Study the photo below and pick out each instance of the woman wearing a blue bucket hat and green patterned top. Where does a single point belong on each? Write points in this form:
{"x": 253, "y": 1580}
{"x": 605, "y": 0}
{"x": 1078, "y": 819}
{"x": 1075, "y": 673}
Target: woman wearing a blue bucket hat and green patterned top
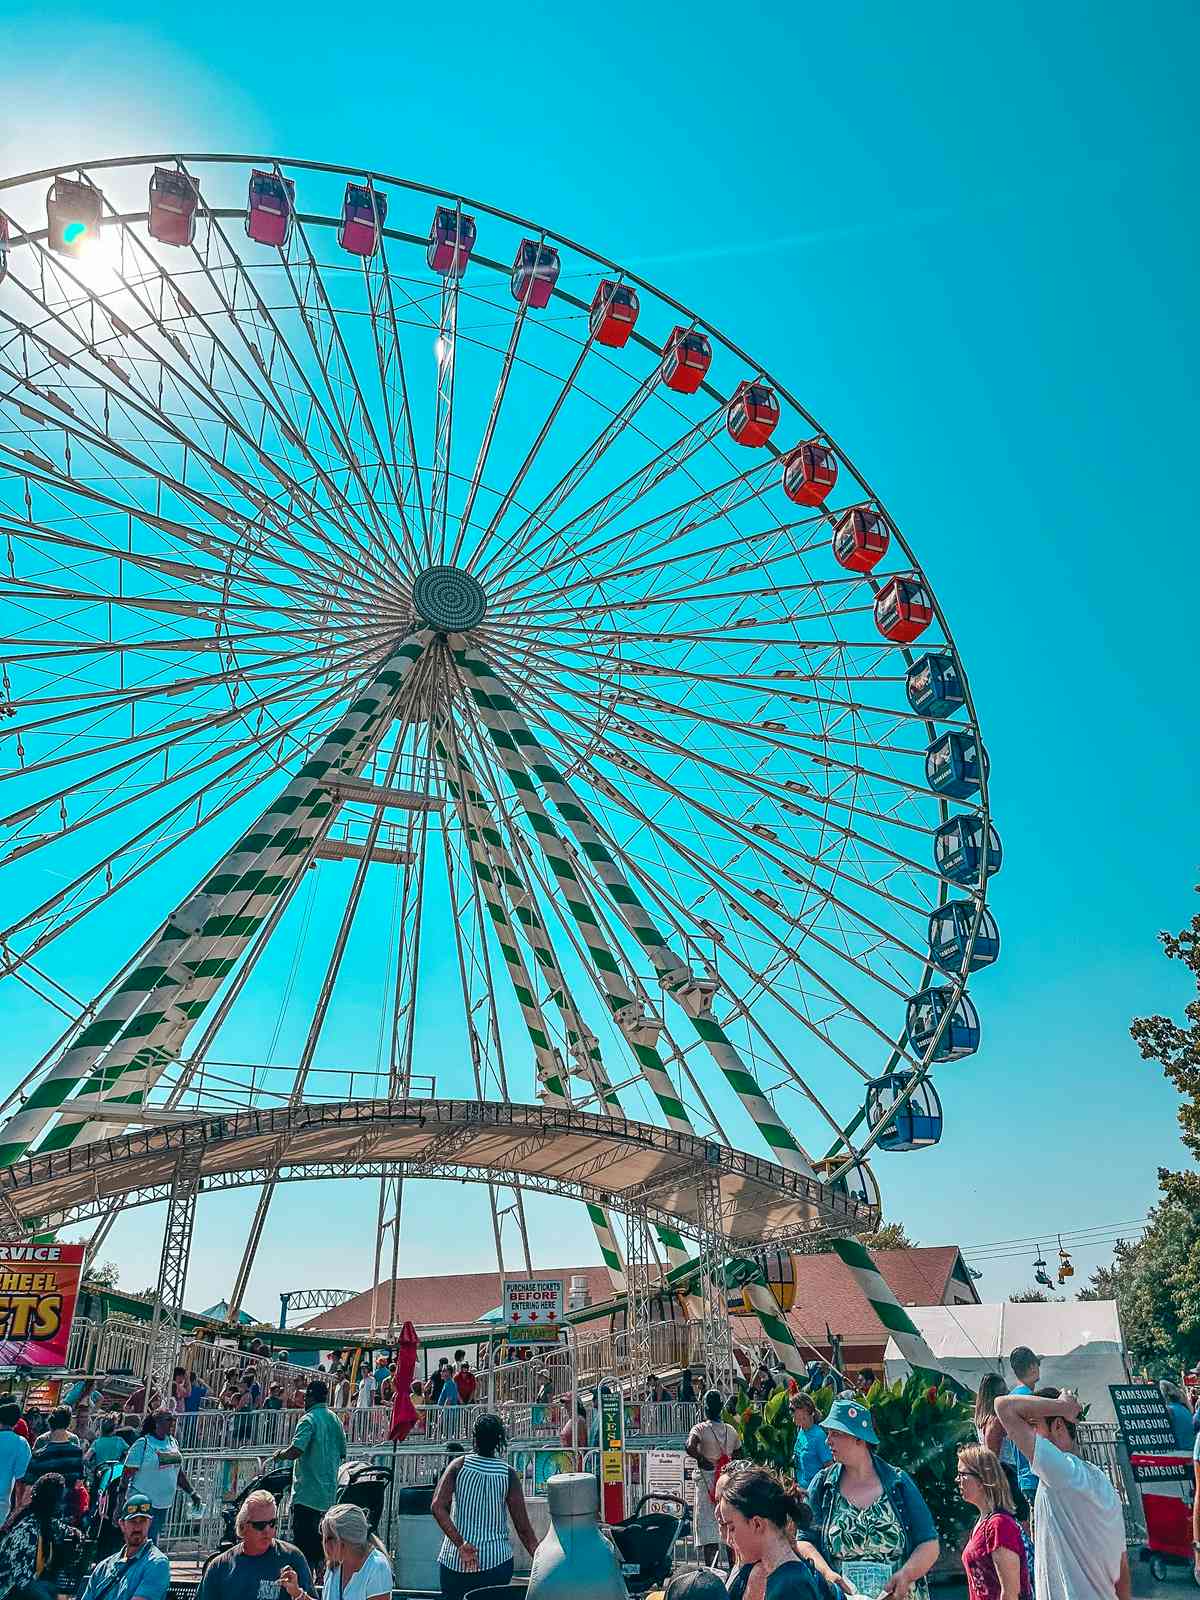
{"x": 870, "y": 1519}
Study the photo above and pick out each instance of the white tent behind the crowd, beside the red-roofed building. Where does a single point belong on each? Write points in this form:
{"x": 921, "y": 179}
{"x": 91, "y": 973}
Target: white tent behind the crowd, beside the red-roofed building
{"x": 1079, "y": 1343}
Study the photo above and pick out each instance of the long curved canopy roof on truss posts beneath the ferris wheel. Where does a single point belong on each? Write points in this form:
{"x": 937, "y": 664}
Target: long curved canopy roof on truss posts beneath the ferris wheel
{"x": 622, "y": 1164}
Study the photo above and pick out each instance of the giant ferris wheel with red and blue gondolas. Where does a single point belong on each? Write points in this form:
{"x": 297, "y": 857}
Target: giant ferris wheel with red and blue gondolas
{"x": 366, "y": 546}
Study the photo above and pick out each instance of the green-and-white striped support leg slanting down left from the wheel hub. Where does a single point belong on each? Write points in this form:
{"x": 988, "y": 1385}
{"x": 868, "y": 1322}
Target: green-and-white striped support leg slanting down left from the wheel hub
{"x": 204, "y": 938}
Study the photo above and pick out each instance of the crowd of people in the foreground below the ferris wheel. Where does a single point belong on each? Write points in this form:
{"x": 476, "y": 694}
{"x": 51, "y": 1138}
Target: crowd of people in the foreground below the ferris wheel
{"x": 1049, "y": 1524}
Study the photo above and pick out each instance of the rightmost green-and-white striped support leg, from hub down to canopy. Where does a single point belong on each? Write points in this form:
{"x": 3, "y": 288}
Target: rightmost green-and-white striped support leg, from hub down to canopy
{"x": 526, "y": 759}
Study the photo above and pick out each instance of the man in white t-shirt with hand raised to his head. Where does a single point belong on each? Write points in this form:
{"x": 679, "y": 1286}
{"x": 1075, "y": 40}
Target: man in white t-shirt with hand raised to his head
{"x": 1079, "y": 1529}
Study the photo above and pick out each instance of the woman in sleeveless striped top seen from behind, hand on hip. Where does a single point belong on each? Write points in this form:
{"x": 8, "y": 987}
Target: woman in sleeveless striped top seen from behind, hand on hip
{"x": 473, "y": 1506}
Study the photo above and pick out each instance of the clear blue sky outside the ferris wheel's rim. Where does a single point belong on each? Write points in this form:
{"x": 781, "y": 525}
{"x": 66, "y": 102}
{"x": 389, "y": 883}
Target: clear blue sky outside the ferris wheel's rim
{"x": 969, "y": 242}
